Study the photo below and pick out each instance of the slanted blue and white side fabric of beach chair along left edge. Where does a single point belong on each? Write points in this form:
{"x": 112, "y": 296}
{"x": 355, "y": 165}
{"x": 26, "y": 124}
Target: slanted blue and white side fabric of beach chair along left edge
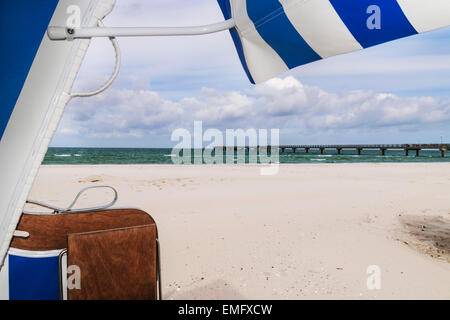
{"x": 36, "y": 79}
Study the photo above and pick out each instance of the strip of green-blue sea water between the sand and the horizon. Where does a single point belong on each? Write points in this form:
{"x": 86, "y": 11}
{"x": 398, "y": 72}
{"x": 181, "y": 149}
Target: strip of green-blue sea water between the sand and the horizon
{"x": 163, "y": 156}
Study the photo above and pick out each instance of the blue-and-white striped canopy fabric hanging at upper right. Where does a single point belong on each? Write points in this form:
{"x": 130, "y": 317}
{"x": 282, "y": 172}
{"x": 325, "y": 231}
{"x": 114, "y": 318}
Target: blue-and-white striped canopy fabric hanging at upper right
{"x": 273, "y": 36}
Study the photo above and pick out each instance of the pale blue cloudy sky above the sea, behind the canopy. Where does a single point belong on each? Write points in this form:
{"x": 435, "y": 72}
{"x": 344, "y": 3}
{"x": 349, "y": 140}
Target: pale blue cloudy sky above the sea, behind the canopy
{"x": 393, "y": 93}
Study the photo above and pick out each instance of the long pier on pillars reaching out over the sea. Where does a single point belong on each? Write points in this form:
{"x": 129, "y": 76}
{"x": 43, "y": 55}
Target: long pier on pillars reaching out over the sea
{"x": 357, "y": 147}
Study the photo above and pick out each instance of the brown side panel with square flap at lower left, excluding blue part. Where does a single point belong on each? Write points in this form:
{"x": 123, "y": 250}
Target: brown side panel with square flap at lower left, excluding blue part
{"x": 116, "y": 250}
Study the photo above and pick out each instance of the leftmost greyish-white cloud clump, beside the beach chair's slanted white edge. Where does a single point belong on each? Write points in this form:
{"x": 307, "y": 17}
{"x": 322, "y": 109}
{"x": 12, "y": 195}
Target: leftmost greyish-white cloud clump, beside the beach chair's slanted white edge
{"x": 120, "y": 112}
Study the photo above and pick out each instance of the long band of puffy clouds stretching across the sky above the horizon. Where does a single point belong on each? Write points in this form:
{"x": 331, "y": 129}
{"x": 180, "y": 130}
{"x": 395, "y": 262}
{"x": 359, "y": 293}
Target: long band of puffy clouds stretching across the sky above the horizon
{"x": 279, "y": 103}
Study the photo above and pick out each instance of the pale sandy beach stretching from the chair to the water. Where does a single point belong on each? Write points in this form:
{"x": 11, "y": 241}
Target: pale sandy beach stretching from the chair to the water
{"x": 309, "y": 232}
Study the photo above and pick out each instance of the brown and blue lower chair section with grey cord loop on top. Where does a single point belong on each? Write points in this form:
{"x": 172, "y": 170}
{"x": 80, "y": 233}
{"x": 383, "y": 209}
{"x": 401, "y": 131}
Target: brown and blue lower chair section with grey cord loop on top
{"x": 95, "y": 253}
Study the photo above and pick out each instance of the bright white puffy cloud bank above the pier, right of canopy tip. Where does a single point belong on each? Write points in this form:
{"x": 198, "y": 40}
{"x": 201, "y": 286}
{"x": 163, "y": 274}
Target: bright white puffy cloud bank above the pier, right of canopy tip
{"x": 317, "y": 109}
